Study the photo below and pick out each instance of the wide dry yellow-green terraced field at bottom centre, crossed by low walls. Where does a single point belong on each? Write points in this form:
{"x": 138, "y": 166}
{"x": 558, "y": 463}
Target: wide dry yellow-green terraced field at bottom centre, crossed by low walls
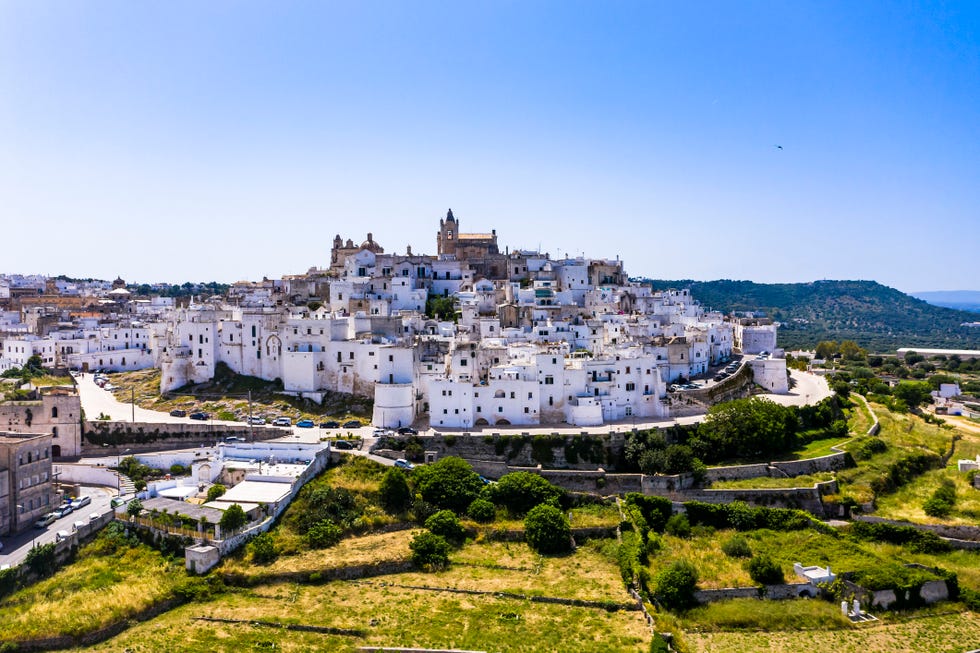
{"x": 395, "y": 616}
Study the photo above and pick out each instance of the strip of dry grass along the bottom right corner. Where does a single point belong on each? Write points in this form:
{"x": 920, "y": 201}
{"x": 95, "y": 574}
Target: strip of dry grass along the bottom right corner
{"x": 942, "y": 633}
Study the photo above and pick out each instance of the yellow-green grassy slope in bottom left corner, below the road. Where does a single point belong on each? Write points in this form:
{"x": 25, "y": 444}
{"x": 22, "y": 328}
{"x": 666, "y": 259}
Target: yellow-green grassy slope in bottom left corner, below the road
{"x": 97, "y": 589}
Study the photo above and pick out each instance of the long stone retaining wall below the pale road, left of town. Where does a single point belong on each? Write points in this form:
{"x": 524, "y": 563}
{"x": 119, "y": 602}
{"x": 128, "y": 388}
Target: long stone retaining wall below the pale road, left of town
{"x": 149, "y": 436}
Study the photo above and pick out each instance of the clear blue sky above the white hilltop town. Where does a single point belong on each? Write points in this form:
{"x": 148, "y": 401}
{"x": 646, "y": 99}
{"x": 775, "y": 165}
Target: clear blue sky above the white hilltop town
{"x": 177, "y": 141}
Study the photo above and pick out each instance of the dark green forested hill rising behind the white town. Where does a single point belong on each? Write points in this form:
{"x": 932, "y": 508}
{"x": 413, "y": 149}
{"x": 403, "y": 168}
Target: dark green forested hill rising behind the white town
{"x": 875, "y": 316}
